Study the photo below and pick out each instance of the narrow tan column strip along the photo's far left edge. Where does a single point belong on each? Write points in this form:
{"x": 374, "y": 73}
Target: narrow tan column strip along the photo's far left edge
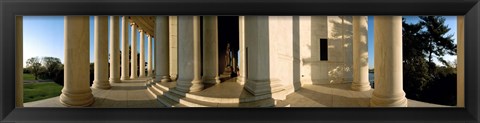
{"x": 19, "y": 63}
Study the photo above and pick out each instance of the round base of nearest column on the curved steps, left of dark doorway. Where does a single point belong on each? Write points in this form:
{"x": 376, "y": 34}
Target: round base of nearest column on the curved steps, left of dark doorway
{"x": 189, "y": 86}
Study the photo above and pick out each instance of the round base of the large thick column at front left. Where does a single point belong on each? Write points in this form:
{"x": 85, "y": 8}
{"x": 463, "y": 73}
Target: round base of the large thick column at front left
{"x": 77, "y": 99}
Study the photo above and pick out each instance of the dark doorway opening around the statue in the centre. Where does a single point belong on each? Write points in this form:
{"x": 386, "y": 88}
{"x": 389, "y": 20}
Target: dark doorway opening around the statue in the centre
{"x": 227, "y": 34}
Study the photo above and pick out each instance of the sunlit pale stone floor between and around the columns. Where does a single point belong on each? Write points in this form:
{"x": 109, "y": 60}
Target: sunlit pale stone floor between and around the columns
{"x": 133, "y": 94}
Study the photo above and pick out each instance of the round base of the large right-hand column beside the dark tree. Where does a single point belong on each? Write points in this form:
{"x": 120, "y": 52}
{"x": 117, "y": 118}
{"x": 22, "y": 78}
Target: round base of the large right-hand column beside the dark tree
{"x": 395, "y": 101}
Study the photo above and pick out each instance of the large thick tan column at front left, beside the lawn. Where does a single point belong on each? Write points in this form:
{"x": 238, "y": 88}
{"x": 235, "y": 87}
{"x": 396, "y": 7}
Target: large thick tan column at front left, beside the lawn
{"x": 76, "y": 89}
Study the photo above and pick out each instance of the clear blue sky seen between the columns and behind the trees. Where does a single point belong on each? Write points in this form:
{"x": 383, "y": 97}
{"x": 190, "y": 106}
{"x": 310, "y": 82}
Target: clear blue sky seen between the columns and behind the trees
{"x": 43, "y": 36}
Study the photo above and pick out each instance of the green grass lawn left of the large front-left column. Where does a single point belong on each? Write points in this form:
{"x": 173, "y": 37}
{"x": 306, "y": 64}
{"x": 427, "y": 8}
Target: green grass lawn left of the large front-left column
{"x": 41, "y": 90}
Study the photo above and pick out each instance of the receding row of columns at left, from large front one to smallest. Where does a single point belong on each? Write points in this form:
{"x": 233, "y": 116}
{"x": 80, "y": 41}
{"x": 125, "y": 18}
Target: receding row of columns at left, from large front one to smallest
{"x": 76, "y": 91}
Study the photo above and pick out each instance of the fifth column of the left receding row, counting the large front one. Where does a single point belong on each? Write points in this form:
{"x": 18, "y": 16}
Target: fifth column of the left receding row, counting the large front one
{"x": 133, "y": 53}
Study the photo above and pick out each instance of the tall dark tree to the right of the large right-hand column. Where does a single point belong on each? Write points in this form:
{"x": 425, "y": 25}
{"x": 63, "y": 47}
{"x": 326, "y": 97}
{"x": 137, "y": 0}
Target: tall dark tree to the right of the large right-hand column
{"x": 423, "y": 79}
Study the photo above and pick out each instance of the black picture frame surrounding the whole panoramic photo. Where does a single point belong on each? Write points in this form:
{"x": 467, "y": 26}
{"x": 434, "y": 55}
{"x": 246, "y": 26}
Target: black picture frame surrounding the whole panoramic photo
{"x": 10, "y": 8}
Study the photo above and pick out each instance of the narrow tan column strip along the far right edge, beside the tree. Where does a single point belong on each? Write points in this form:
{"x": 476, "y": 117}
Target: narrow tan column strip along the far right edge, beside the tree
{"x": 460, "y": 62}
